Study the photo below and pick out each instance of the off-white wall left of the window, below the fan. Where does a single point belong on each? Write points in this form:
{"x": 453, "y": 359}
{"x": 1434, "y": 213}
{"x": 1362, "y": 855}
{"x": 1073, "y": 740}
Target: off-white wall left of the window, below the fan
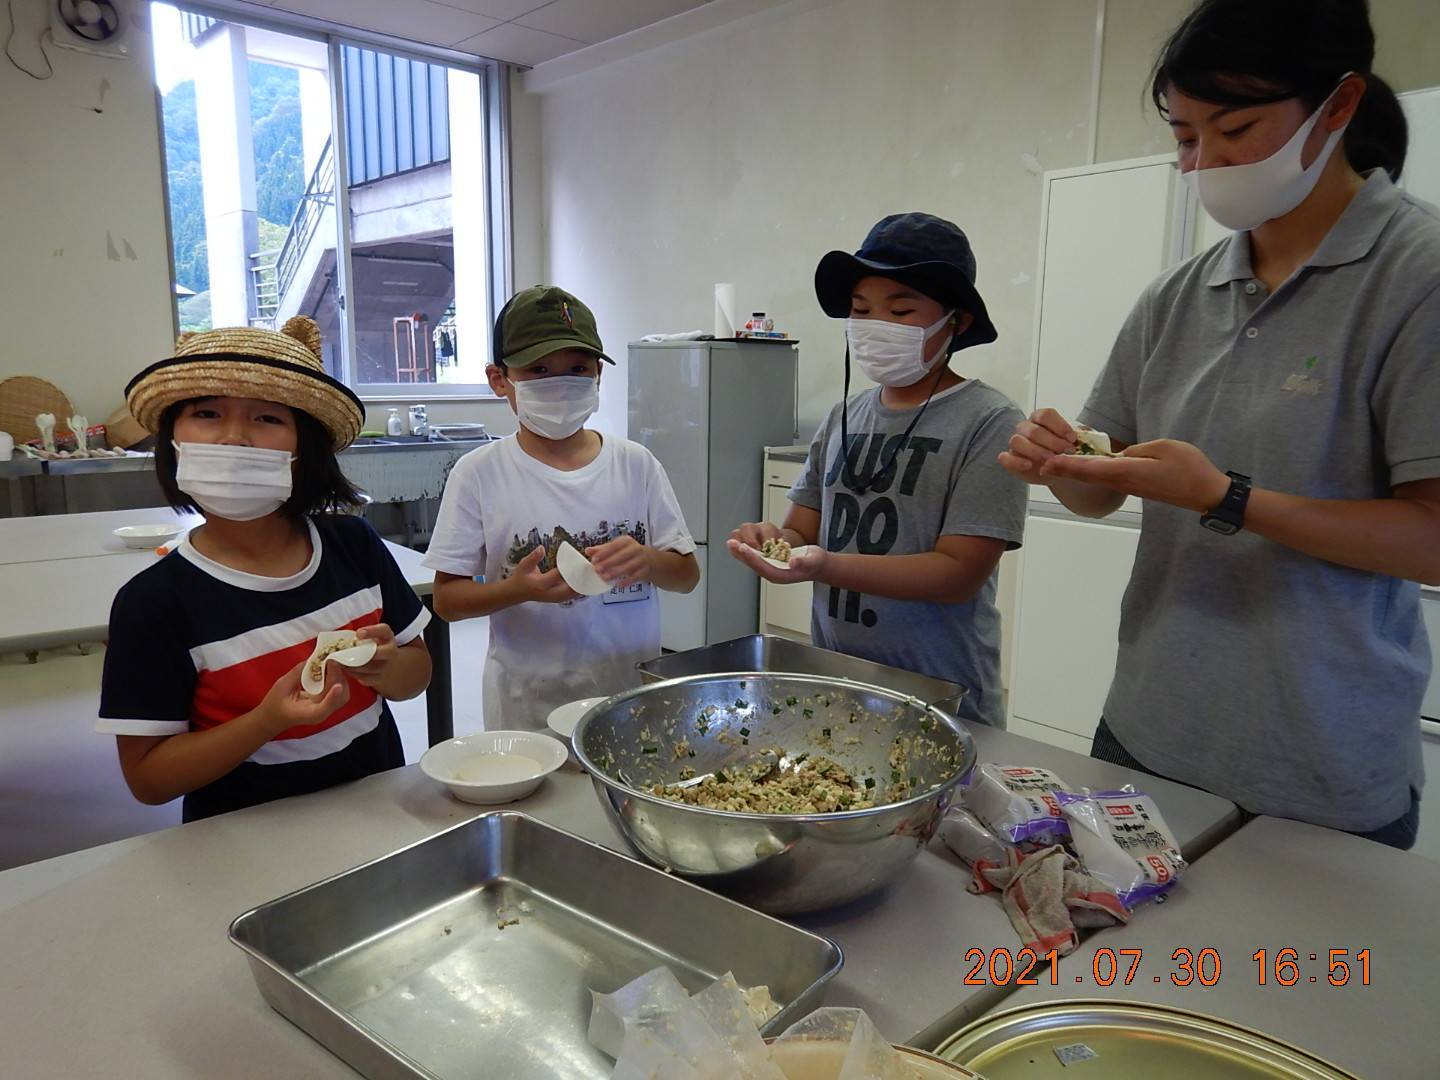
{"x": 86, "y": 277}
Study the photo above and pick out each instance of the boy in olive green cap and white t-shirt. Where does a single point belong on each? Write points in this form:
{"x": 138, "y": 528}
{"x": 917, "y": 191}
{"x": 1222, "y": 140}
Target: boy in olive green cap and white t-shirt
{"x": 512, "y": 505}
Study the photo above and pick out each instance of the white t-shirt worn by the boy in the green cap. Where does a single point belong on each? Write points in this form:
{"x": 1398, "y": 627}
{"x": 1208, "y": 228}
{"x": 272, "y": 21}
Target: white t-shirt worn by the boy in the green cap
{"x": 499, "y": 506}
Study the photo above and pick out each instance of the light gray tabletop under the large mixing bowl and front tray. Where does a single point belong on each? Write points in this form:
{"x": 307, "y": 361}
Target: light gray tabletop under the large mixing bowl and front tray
{"x": 120, "y": 954}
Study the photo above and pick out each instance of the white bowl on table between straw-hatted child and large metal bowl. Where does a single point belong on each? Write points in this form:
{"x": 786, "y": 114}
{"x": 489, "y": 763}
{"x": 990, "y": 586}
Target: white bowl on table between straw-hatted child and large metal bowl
{"x": 493, "y": 767}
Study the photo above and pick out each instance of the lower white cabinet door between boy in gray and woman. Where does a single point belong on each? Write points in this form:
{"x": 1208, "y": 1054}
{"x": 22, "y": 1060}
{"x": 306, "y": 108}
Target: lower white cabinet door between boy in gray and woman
{"x": 1069, "y": 616}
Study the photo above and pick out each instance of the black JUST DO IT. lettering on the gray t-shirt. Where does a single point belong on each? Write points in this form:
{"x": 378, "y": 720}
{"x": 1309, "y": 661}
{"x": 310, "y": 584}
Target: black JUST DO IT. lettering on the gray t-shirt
{"x": 876, "y": 463}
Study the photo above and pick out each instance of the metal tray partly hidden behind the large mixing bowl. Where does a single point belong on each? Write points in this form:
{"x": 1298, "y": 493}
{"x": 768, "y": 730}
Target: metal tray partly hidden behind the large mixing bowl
{"x": 774, "y": 653}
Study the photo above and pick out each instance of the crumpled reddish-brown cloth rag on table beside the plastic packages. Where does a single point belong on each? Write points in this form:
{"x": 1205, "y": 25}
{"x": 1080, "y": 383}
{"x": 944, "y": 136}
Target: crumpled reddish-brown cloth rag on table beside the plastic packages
{"x": 1049, "y": 898}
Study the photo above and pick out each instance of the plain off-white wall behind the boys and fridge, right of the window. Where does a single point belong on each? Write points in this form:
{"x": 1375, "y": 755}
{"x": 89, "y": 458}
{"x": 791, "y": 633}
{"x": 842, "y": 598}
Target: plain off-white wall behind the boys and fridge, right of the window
{"x": 747, "y": 153}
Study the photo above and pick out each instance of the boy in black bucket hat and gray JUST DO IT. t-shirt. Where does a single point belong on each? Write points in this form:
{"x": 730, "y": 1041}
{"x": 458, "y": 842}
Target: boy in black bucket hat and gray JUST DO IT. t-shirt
{"x": 904, "y": 531}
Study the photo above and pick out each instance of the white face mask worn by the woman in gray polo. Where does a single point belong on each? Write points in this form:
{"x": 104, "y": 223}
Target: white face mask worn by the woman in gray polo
{"x": 1245, "y": 198}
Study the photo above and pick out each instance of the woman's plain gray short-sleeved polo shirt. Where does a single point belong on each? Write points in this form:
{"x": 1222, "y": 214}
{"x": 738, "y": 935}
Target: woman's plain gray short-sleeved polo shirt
{"x": 1285, "y": 683}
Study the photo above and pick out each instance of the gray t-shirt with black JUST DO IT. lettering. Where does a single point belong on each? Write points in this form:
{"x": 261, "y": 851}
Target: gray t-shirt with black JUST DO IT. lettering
{"x": 945, "y": 482}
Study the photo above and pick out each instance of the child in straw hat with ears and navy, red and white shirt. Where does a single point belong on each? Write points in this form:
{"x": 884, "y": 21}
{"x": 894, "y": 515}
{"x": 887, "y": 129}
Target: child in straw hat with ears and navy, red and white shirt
{"x": 202, "y": 683}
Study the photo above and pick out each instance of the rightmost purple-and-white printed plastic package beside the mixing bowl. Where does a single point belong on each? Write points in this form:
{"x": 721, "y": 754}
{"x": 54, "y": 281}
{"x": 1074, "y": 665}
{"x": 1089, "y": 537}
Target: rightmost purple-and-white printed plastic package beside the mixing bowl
{"x": 1124, "y": 843}
